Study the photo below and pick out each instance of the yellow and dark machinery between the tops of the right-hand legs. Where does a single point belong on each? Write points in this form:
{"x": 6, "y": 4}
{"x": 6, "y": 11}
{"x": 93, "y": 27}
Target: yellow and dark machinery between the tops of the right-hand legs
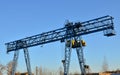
{"x": 75, "y": 43}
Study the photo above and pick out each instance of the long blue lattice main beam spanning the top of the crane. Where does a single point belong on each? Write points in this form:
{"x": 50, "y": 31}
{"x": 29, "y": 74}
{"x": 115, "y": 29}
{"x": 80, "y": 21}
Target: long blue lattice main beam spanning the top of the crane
{"x": 104, "y": 23}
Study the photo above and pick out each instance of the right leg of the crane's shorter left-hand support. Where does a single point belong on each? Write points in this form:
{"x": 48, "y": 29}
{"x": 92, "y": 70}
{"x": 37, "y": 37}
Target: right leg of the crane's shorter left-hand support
{"x": 27, "y": 60}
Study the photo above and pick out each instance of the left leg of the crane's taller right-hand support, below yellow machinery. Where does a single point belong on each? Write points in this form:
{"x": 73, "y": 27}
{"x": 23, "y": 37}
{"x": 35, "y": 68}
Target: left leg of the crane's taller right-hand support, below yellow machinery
{"x": 67, "y": 58}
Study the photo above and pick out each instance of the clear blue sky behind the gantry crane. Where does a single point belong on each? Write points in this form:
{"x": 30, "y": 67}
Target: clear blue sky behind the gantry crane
{"x": 23, "y": 18}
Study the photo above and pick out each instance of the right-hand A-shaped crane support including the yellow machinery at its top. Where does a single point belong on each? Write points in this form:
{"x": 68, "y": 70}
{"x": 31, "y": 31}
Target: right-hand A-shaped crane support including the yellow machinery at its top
{"x": 78, "y": 44}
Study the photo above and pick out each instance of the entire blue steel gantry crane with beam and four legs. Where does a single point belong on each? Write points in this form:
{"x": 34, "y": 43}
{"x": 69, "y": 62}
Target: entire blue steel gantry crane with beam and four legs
{"x": 70, "y": 34}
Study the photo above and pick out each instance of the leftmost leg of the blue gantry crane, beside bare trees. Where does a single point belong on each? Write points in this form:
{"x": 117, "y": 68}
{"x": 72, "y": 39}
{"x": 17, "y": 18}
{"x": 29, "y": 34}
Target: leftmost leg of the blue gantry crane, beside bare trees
{"x": 14, "y": 64}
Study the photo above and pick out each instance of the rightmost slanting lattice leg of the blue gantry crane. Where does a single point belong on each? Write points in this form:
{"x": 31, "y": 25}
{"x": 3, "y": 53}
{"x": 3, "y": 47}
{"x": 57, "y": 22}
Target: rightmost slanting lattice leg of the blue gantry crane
{"x": 80, "y": 55}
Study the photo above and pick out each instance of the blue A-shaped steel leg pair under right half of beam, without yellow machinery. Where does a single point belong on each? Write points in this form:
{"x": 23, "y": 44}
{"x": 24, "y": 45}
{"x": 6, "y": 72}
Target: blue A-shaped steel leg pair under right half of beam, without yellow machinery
{"x": 79, "y": 51}
